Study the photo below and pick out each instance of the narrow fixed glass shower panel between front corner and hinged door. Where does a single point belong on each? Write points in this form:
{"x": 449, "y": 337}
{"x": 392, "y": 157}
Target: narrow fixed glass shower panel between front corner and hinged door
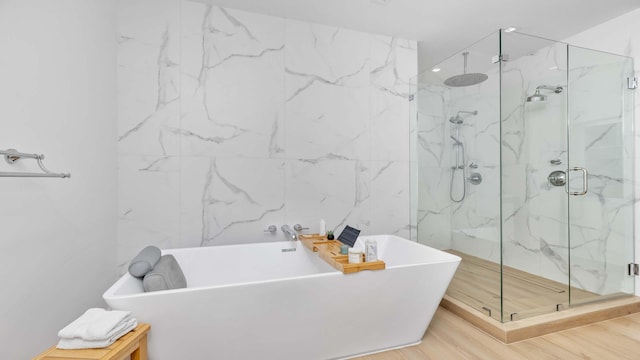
{"x": 535, "y": 253}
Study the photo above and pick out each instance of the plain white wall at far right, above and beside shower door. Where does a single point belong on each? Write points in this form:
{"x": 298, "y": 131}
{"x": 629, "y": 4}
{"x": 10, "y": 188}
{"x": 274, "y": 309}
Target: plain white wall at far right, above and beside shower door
{"x": 620, "y": 36}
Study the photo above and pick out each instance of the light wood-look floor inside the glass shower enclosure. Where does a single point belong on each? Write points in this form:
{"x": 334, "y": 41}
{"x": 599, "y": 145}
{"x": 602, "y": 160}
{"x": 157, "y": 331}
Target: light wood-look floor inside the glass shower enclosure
{"x": 477, "y": 284}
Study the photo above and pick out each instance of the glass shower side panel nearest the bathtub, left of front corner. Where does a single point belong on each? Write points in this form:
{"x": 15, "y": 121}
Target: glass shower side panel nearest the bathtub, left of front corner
{"x": 457, "y": 146}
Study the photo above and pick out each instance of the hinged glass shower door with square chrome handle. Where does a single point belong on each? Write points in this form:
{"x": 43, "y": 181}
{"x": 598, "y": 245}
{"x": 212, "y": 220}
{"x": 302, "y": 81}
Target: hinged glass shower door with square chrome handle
{"x": 600, "y": 173}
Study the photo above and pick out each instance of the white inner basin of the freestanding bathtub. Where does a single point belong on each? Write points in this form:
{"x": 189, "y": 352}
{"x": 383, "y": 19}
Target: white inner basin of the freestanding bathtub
{"x": 232, "y": 265}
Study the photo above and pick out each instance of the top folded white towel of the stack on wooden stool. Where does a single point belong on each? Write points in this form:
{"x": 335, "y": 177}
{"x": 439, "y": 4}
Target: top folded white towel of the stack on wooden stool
{"x": 97, "y": 324}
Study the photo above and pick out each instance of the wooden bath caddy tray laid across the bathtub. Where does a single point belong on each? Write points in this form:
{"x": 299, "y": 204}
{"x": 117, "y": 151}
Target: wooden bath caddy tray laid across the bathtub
{"x": 329, "y": 251}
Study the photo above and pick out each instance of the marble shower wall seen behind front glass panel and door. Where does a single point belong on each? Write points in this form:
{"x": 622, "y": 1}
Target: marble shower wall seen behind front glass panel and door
{"x": 579, "y": 240}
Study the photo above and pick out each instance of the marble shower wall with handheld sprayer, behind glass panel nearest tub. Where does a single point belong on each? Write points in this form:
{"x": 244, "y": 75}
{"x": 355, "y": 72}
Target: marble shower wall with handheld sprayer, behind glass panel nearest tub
{"x": 473, "y": 224}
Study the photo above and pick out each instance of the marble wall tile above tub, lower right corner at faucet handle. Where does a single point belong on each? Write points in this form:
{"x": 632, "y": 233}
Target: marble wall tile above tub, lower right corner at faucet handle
{"x": 230, "y": 200}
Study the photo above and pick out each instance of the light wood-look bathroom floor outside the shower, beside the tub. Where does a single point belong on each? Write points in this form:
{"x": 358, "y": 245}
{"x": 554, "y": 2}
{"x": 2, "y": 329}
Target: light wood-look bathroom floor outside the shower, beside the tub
{"x": 451, "y": 338}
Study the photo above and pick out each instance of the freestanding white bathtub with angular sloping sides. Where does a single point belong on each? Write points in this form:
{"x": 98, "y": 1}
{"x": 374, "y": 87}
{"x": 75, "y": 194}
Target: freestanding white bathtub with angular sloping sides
{"x": 254, "y": 301}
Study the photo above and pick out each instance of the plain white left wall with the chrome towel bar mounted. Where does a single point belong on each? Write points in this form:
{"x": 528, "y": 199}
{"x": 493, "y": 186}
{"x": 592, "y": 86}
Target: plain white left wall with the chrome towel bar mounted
{"x": 57, "y": 242}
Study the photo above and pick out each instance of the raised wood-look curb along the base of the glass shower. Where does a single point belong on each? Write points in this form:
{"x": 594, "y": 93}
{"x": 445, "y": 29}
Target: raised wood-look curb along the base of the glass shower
{"x": 572, "y": 317}
